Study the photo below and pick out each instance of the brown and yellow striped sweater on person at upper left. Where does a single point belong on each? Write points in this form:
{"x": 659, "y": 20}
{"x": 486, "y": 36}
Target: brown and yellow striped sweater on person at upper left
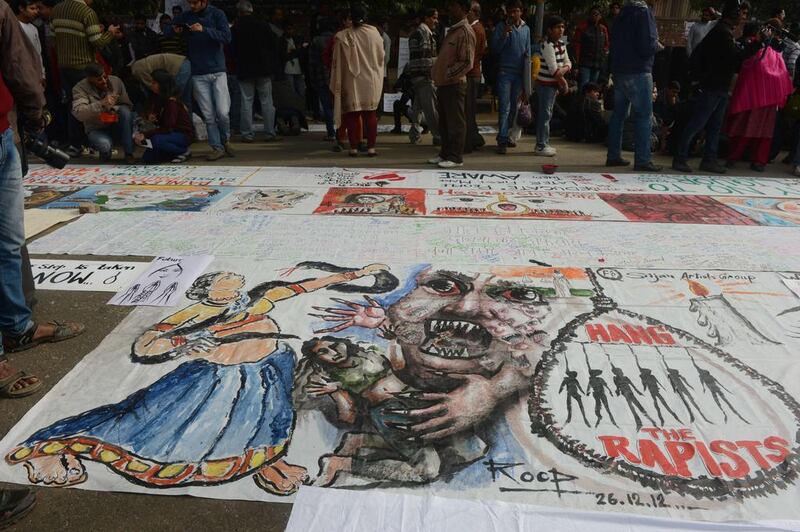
{"x": 78, "y": 34}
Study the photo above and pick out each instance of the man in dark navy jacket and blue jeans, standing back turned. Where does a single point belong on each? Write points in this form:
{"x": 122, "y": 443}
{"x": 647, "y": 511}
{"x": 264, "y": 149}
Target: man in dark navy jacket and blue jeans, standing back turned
{"x": 634, "y": 44}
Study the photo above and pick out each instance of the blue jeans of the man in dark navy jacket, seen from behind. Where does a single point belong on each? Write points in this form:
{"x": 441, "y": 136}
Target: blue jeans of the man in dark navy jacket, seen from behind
{"x": 633, "y": 93}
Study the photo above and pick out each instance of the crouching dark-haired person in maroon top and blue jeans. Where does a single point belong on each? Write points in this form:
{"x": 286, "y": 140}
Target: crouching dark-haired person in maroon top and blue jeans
{"x": 173, "y": 133}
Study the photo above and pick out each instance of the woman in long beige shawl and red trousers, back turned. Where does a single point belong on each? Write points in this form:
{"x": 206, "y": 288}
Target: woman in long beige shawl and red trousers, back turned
{"x": 357, "y": 79}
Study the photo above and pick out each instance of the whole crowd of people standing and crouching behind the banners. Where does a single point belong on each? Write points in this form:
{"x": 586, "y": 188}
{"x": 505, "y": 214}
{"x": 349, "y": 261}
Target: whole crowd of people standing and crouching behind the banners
{"x": 202, "y": 73}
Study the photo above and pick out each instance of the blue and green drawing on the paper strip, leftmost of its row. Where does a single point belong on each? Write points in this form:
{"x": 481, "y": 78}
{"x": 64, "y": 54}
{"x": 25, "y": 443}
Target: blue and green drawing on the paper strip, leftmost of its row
{"x": 143, "y": 198}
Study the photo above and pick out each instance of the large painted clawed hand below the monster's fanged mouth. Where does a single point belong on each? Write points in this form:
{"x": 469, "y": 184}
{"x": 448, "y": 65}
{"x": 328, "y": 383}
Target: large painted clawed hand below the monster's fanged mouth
{"x": 451, "y": 413}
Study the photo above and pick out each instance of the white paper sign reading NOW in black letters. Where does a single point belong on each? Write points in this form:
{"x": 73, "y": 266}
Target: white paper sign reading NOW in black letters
{"x": 86, "y": 276}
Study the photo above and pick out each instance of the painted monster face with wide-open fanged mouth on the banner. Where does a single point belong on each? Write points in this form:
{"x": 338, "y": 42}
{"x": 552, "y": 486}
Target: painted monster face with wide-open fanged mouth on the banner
{"x": 454, "y": 322}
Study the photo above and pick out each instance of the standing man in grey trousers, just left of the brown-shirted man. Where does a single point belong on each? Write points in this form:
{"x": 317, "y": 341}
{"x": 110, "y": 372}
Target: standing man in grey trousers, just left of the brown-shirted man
{"x": 422, "y": 54}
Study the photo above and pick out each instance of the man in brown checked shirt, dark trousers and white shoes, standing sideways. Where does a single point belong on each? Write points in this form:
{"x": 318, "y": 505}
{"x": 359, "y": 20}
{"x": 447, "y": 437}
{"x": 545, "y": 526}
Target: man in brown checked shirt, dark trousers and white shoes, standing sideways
{"x": 449, "y": 74}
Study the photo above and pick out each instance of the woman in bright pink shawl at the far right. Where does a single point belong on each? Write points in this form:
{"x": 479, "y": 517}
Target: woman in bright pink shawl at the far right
{"x": 763, "y": 86}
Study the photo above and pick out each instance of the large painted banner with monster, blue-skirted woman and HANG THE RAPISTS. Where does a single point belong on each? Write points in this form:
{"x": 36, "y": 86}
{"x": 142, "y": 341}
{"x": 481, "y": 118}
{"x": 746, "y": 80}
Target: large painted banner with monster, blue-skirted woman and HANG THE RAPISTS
{"x": 664, "y": 392}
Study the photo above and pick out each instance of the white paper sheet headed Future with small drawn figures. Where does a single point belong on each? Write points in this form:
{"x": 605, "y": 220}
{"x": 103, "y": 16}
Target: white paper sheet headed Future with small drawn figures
{"x": 164, "y": 282}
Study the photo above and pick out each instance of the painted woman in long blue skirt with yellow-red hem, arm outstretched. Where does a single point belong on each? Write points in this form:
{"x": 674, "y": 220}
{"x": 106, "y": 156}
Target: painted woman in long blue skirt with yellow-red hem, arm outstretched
{"x": 223, "y": 414}
